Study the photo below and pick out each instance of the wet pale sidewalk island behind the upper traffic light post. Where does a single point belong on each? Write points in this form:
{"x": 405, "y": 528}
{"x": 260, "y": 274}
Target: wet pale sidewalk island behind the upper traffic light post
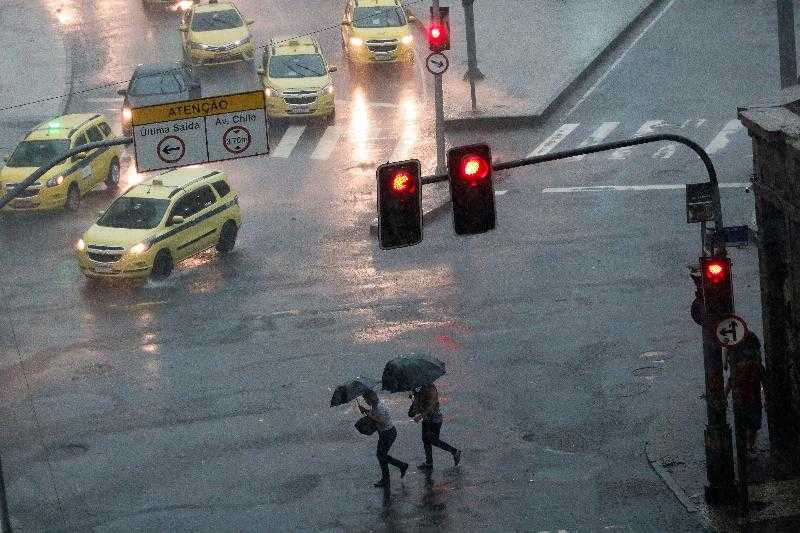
{"x": 530, "y": 52}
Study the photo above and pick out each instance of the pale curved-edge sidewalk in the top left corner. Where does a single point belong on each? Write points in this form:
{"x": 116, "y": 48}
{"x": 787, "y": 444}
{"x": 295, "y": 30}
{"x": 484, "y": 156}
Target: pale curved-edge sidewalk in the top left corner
{"x": 35, "y": 67}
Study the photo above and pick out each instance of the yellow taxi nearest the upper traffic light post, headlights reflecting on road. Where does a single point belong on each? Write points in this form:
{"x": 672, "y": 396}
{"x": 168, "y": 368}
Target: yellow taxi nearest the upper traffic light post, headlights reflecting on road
{"x": 377, "y": 31}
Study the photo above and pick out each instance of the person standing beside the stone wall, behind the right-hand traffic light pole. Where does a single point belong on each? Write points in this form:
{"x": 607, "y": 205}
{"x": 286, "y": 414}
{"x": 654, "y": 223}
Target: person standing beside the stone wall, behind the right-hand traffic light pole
{"x": 745, "y": 382}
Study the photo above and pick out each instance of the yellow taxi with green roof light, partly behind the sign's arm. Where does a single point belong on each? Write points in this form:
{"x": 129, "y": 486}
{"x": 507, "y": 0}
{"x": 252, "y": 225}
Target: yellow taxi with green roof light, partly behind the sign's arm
{"x": 66, "y": 183}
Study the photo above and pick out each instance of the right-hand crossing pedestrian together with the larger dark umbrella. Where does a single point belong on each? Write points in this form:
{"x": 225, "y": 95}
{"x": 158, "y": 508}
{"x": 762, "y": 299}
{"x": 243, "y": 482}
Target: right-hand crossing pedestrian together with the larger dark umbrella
{"x": 417, "y": 374}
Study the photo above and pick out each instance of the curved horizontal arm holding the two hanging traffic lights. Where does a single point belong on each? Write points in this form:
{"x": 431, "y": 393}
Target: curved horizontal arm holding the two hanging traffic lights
{"x": 645, "y": 139}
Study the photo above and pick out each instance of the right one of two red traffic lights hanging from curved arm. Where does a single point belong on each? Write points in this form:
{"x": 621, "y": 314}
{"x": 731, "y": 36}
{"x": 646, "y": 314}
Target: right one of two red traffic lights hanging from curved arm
{"x": 470, "y": 171}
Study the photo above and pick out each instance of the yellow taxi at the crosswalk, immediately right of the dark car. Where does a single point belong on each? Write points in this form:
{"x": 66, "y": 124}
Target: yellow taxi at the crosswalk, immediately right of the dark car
{"x": 297, "y": 79}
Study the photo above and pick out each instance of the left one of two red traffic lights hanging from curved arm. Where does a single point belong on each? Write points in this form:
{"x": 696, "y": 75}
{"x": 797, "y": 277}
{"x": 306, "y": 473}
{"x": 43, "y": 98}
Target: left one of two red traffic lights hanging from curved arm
{"x": 399, "y": 204}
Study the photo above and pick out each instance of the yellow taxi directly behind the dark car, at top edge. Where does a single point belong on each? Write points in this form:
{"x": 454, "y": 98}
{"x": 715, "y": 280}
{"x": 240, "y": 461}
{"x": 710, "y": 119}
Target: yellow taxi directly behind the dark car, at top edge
{"x": 216, "y": 33}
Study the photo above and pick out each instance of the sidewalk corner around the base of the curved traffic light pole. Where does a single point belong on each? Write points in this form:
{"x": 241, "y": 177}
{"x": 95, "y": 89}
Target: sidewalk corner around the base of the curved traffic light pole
{"x": 675, "y": 450}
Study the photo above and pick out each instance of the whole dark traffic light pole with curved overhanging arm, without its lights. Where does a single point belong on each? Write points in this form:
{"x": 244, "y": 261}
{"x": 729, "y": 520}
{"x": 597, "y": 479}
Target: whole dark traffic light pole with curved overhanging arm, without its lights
{"x": 721, "y": 487}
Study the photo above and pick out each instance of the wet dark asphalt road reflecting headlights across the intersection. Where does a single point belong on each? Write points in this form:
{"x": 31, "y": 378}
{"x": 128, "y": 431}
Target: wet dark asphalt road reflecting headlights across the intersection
{"x": 201, "y": 403}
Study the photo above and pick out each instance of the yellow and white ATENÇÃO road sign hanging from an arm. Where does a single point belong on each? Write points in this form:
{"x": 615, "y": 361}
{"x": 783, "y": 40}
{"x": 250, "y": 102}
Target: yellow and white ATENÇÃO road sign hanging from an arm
{"x": 199, "y": 131}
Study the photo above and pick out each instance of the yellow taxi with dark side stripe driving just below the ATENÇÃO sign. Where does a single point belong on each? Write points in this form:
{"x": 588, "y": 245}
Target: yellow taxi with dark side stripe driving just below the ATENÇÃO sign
{"x": 159, "y": 222}
